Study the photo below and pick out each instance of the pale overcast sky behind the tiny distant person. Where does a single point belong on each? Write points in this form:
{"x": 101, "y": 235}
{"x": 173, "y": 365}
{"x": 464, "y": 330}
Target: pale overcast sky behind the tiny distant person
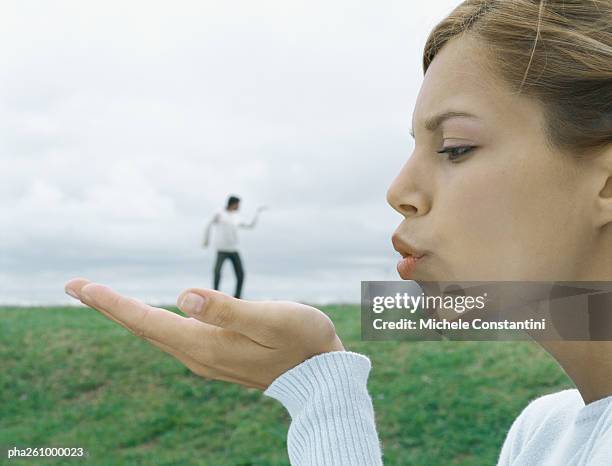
{"x": 125, "y": 124}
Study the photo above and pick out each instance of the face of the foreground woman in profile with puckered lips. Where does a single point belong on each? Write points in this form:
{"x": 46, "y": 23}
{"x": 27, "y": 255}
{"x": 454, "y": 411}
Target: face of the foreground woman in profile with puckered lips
{"x": 511, "y": 208}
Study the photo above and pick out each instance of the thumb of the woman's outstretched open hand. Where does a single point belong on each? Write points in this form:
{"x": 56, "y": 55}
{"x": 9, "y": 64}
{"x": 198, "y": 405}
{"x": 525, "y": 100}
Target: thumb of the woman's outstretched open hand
{"x": 255, "y": 319}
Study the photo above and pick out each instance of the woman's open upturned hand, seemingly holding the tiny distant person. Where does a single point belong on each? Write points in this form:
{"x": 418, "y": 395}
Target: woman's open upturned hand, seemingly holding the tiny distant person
{"x": 246, "y": 342}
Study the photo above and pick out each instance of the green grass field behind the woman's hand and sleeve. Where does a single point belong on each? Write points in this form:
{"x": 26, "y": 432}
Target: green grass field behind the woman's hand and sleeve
{"x": 69, "y": 377}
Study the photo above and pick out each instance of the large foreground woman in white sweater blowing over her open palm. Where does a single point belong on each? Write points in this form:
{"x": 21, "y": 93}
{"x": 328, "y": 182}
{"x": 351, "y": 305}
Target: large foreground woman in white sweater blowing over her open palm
{"x": 510, "y": 179}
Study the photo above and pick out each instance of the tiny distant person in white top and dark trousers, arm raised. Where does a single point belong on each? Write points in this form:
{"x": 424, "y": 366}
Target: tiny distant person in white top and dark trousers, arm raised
{"x": 226, "y": 224}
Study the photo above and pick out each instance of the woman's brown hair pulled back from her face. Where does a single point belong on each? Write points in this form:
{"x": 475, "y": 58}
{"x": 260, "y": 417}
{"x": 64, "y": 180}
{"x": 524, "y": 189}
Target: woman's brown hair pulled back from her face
{"x": 558, "y": 52}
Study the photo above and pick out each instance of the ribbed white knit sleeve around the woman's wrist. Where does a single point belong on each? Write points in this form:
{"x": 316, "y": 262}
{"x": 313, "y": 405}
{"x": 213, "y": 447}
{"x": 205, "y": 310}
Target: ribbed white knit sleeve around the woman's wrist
{"x": 332, "y": 417}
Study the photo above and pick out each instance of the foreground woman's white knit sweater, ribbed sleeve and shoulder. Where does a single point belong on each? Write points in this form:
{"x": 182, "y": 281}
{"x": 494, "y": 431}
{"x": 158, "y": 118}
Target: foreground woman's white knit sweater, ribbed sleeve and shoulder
{"x": 332, "y": 420}
